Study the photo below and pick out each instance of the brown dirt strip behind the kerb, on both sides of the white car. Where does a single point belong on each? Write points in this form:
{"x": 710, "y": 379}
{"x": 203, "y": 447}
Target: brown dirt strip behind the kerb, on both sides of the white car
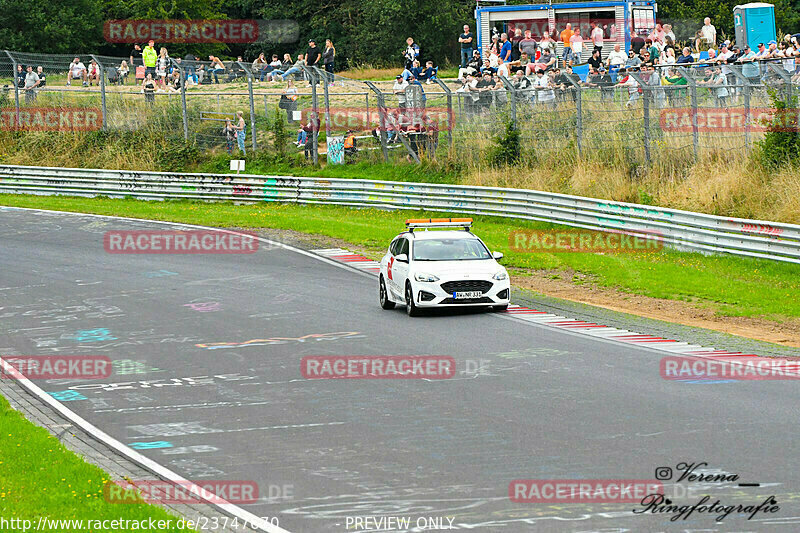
{"x": 556, "y": 284}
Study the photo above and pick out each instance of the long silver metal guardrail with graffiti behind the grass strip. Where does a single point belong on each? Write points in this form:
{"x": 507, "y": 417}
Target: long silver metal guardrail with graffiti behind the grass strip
{"x": 681, "y": 229}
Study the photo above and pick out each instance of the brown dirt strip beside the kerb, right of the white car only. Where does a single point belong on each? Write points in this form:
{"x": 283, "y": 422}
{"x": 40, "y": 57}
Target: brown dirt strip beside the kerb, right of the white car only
{"x": 784, "y": 333}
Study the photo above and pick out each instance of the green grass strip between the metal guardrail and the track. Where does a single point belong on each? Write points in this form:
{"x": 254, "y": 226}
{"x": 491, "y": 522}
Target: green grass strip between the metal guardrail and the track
{"x": 728, "y": 285}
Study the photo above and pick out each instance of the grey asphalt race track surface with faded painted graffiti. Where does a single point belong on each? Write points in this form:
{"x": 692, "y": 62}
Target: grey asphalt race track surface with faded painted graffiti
{"x": 192, "y": 393}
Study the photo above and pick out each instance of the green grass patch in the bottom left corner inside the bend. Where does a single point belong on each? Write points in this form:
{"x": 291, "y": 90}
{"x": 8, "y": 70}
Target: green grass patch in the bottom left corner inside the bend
{"x": 39, "y": 477}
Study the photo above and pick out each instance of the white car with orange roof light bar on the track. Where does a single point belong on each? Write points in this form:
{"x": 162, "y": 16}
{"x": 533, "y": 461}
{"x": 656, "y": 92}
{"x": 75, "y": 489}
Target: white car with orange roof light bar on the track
{"x": 447, "y": 267}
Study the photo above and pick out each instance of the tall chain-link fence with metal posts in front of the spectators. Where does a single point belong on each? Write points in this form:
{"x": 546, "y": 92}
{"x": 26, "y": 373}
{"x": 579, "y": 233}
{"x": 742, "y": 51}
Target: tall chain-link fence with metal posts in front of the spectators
{"x": 672, "y": 112}
